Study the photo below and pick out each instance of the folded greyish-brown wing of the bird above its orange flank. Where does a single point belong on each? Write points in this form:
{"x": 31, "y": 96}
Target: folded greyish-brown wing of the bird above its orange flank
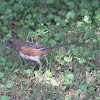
{"x": 34, "y": 45}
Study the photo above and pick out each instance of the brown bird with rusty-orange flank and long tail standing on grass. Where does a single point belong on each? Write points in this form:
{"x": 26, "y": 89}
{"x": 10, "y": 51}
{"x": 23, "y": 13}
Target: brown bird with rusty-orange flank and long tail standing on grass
{"x": 32, "y": 51}
